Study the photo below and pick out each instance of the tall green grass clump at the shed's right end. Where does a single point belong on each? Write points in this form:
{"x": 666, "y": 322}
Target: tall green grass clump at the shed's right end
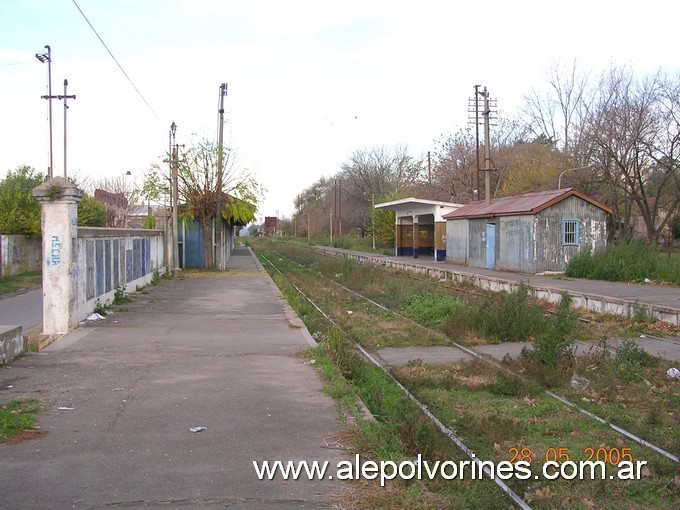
{"x": 626, "y": 261}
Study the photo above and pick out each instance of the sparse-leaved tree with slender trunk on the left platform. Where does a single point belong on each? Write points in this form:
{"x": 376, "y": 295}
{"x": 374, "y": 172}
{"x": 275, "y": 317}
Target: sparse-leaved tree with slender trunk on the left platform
{"x": 199, "y": 191}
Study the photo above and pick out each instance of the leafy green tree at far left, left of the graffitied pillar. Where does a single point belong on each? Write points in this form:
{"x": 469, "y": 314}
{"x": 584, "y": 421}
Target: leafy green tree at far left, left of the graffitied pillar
{"x": 19, "y": 210}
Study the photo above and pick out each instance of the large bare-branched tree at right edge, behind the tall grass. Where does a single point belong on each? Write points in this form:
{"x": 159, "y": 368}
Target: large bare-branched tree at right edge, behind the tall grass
{"x": 635, "y": 129}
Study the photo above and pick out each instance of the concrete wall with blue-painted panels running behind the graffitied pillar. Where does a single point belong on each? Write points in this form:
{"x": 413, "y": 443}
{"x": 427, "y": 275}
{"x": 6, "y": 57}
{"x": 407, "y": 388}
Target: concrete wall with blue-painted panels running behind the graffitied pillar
{"x": 109, "y": 259}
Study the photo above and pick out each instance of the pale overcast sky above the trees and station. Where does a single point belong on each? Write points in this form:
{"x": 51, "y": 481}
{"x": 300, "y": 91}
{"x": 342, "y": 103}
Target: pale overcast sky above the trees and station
{"x": 308, "y": 81}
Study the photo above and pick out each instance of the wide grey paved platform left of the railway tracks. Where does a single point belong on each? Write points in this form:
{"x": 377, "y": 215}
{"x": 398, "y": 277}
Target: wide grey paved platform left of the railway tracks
{"x": 214, "y": 350}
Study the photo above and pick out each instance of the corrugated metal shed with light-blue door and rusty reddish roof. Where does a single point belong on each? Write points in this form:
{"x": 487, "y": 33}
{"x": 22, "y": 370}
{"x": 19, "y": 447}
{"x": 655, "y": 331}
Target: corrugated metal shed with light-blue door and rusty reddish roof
{"x": 531, "y": 233}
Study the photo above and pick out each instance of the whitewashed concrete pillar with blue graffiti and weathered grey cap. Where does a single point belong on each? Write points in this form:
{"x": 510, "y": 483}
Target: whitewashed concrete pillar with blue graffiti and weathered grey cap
{"x": 58, "y": 198}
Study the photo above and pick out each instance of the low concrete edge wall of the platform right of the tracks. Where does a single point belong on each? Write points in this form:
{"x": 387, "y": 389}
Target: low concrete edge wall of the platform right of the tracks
{"x": 592, "y": 302}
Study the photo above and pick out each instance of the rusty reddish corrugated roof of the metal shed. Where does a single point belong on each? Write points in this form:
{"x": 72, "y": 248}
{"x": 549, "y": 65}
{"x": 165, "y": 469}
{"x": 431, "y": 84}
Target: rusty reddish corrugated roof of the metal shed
{"x": 529, "y": 203}
